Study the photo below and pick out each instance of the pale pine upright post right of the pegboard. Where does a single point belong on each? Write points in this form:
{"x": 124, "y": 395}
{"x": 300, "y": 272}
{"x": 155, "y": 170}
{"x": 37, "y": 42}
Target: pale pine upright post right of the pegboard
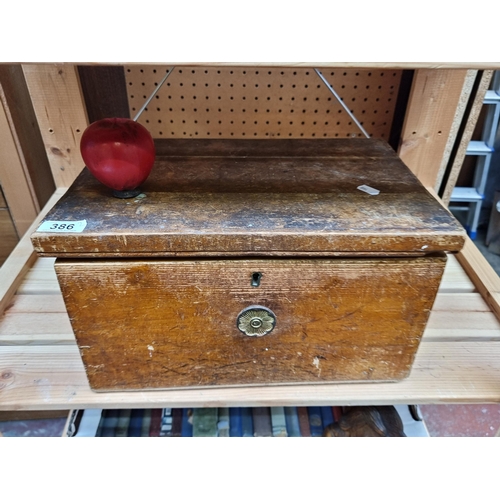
{"x": 436, "y": 105}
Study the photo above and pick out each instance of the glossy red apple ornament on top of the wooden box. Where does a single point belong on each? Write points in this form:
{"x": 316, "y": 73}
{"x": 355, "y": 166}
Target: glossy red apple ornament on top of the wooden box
{"x": 120, "y": 153}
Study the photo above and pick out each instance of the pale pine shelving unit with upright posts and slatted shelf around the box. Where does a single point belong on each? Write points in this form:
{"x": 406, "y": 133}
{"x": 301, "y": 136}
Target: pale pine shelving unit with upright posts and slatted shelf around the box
{"x": 457, "y": 362}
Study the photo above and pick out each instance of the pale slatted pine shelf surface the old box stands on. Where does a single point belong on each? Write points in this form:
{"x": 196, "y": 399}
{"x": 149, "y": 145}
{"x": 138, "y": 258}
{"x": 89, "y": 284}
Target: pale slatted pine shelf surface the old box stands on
{"x": 40, "y": 367}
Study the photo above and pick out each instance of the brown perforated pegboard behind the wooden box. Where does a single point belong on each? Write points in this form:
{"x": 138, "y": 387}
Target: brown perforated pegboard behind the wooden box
{"x": 236, "y": 102}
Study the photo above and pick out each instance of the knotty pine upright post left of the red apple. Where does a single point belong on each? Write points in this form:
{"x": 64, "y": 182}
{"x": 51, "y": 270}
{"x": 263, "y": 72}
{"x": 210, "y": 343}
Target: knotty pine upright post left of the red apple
{"x": 61, "y": 116}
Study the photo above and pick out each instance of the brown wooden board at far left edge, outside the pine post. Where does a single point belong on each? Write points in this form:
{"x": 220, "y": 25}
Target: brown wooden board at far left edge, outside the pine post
{"x": 15, "y": 184}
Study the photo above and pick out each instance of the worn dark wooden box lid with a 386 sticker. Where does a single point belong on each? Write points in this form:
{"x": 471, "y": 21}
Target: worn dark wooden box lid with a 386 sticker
{"x": 256, "y": 197}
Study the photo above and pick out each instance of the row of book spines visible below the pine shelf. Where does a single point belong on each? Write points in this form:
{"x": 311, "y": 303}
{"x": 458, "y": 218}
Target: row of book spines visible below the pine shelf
{"x": 219, "y": 422}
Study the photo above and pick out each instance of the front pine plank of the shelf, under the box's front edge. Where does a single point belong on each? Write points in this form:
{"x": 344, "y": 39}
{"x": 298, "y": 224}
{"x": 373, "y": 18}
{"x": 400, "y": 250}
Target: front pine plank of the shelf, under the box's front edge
{"x": 52, "y": 377}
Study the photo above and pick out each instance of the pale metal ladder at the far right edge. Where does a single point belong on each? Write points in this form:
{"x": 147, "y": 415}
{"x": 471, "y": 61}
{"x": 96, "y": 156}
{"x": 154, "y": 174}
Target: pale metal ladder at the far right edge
{"x": 484, "y": 149}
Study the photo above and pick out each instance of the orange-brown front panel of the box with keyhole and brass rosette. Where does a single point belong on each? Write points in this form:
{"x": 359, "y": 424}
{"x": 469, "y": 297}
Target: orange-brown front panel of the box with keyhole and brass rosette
{"x": 155, "y": 324}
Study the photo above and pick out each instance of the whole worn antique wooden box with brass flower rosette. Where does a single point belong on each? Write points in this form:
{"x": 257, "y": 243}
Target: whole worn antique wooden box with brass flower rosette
{"x": 247, "y": 262}
